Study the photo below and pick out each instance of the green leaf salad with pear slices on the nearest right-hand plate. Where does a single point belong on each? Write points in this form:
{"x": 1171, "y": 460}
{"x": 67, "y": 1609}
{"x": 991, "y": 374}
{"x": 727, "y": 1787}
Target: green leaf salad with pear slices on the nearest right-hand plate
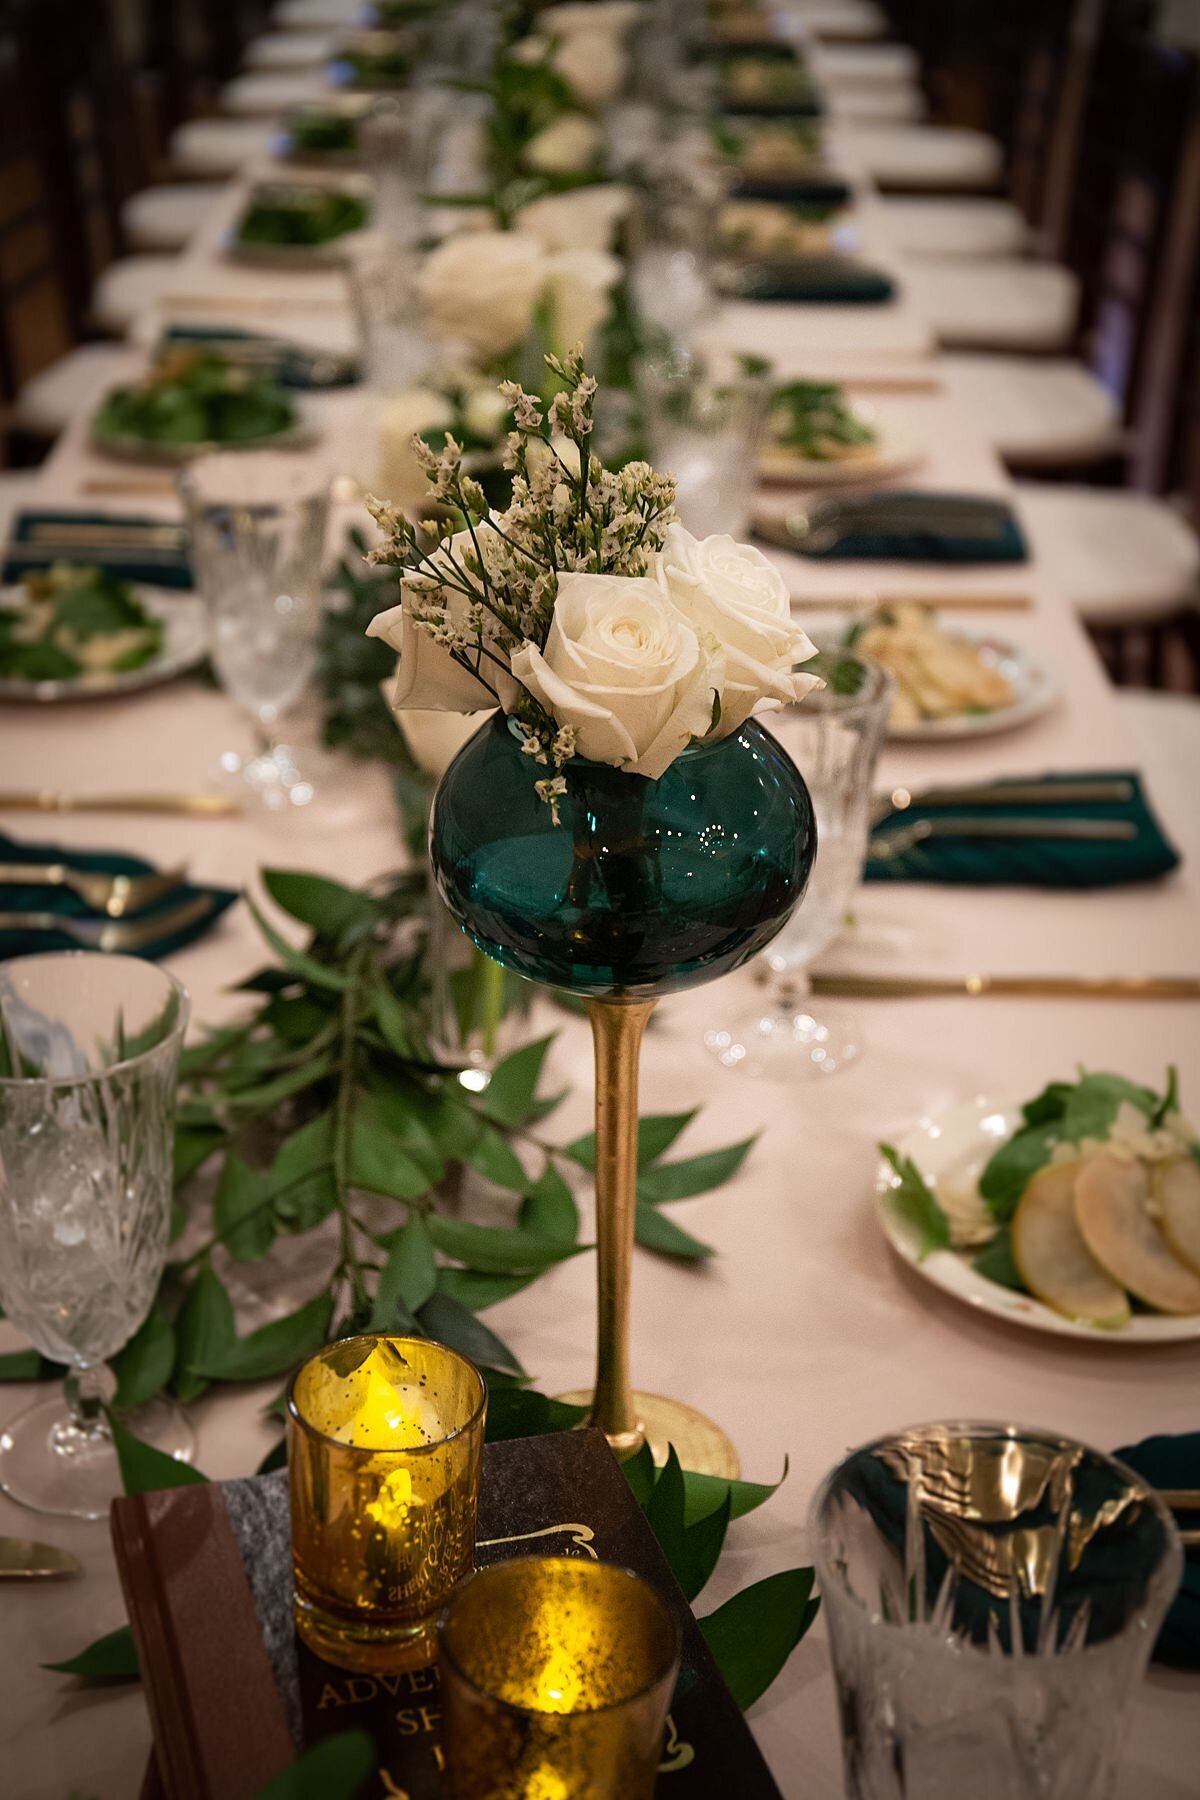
{"x": 1093, "y": 1205}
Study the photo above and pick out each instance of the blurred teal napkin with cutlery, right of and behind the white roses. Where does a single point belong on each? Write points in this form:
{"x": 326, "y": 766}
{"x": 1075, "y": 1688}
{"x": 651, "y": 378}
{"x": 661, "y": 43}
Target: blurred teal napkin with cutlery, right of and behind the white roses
{"x": 944, "y": 528}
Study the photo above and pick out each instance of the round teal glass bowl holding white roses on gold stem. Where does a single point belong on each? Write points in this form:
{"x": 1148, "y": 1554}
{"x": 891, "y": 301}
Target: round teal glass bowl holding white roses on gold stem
{"x": 643, "y": 888}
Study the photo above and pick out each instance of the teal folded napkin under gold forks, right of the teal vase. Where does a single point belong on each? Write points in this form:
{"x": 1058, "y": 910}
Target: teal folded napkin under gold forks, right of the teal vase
{"x": 1034, "y": 863}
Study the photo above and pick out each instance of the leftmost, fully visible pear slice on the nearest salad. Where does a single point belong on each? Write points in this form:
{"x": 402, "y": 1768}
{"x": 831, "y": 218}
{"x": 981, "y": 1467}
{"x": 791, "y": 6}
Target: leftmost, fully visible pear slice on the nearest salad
{"x": 1055, "y": 1263}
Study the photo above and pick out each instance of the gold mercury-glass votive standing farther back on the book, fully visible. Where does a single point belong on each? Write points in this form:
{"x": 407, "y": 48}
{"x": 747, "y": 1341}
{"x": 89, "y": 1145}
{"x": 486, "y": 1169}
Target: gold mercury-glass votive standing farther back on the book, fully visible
{"x": 386, "y": 1441}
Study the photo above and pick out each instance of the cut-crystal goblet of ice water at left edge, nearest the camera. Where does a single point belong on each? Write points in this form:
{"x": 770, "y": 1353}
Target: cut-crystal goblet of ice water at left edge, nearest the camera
{"x": 89, "y": 1054}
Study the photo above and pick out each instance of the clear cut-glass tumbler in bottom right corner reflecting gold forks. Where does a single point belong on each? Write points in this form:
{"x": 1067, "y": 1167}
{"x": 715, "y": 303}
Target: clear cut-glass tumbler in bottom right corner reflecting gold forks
{"x": 992, "y": 1597}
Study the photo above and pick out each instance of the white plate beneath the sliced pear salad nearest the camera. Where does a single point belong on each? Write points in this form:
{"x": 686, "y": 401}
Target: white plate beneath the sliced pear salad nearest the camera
{"x": 958, "y": 1144}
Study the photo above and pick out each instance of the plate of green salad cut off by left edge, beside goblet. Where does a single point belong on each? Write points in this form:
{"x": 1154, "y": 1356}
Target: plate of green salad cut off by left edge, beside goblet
{"x": 123, "y": 636}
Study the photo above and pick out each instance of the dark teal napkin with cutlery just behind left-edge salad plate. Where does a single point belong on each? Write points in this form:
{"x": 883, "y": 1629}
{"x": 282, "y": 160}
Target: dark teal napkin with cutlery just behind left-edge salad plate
{"x": 134, "y": 550}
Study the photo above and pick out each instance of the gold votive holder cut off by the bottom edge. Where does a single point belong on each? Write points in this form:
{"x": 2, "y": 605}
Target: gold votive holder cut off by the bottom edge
{"x": 557, "y": 1677}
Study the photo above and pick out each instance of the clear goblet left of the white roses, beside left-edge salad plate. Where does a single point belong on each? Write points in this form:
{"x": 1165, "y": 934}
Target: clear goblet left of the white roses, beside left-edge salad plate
{"x": 258, "y": 532}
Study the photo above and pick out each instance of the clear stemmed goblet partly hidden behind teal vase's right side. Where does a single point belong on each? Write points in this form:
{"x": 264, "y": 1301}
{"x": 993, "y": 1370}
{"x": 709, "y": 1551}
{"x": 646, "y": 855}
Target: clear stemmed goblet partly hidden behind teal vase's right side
{"x": 836, "y": 741}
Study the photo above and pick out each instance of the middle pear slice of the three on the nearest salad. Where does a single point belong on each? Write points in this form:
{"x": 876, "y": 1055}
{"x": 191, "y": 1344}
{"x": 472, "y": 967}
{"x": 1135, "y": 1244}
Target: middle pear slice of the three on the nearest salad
{"x": 1115, "y": 1218}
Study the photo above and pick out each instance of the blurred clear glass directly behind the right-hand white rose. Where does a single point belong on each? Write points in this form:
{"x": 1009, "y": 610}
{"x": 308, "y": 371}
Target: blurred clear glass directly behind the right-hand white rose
{"x": 706, "y": 433}
